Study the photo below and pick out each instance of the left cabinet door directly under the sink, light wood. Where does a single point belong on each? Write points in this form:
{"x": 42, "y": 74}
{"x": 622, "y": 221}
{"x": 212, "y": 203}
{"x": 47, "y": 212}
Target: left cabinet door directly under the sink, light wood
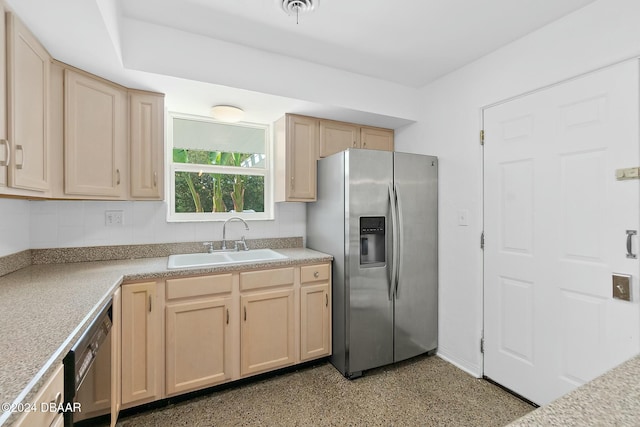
{"x": 198, "y": 344}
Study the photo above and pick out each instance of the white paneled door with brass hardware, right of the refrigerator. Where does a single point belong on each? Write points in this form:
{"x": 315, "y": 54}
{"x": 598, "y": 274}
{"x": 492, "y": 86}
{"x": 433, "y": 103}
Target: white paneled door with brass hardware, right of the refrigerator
{"x": 555, "y": 233}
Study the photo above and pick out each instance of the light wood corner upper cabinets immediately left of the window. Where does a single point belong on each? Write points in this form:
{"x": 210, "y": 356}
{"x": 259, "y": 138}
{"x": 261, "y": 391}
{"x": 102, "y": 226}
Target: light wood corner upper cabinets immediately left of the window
{"x": 107, "y": 141}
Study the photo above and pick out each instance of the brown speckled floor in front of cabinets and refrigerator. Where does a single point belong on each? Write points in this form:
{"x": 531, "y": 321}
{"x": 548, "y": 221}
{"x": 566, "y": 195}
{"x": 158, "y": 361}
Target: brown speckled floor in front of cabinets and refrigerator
{"x": 424, "y": 391}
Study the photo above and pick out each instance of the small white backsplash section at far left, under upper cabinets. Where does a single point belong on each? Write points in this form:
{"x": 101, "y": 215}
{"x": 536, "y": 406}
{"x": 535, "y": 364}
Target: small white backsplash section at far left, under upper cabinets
{"x": 14, "y": 226}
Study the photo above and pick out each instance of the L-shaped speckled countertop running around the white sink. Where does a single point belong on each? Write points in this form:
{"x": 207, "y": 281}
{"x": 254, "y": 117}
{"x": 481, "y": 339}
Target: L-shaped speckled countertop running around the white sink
{"x": 45, "y": 308}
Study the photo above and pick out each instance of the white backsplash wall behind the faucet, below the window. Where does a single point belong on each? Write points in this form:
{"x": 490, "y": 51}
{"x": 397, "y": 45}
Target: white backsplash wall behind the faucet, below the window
{"x": 58, "y": 224}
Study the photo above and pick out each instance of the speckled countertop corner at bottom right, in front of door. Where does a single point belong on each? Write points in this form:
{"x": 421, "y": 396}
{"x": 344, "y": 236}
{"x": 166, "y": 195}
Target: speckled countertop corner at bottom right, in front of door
{"x": 613, "y": 399}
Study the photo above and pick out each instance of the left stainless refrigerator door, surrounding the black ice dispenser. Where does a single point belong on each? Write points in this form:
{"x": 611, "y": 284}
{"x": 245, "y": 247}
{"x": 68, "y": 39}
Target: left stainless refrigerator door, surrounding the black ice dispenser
{"x": 370, "y": 308}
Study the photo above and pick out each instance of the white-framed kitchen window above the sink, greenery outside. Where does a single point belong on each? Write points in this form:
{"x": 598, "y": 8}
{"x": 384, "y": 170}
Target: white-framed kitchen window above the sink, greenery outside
{"x": 218, "y": 170}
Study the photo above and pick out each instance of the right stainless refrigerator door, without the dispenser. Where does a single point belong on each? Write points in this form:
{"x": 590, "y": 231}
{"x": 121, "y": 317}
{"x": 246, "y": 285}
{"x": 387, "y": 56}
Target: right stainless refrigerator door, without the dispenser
{"x": 416, "y": 294}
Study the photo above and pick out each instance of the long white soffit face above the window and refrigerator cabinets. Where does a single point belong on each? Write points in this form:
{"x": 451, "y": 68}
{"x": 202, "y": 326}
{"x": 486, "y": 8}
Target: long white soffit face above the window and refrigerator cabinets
{"x": 235, "y": 66}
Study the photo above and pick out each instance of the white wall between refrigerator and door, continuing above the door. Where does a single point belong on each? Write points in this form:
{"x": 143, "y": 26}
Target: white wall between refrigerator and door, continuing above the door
{"x": 605, "y": 32}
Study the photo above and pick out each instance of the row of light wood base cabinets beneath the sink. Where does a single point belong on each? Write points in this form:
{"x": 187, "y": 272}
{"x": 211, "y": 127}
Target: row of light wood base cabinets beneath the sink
{"x": 220, "y": 328}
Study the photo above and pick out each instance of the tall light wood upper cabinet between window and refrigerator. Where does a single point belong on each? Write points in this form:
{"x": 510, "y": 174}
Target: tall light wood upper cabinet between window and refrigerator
{"x": 296, "y": 152}
